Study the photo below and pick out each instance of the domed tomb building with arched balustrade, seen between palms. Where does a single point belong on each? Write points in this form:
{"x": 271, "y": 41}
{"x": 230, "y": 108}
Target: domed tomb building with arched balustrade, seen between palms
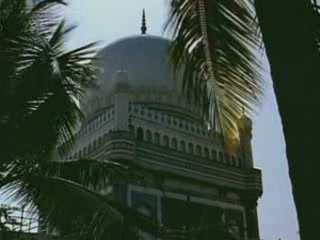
{"x": 138, "y": 114}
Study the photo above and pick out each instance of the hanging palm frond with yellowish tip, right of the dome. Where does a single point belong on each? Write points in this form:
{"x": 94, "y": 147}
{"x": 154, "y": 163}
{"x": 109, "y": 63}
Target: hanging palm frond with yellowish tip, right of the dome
{"x": 214, "y": 46}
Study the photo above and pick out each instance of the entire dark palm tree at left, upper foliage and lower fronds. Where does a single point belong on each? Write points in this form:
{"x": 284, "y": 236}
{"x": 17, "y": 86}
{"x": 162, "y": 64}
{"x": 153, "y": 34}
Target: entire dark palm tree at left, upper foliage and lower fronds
{"x": 39, "y": 85}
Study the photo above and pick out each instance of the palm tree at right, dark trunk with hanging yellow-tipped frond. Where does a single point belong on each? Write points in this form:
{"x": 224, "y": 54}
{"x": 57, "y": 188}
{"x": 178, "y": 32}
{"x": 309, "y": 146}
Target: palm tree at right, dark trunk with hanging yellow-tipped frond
{"x": 215, "y": 44}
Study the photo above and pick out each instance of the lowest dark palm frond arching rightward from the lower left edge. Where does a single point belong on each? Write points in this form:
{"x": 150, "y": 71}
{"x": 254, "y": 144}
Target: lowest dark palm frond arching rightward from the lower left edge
{"x": 73, "y": 208}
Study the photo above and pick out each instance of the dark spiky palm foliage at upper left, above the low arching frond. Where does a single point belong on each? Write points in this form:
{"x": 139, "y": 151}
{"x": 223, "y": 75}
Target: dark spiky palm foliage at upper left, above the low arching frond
{"x": 39, "y": 80}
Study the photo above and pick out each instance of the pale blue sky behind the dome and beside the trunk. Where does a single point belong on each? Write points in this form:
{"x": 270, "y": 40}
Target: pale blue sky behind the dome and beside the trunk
{"x": 109, "y": 20}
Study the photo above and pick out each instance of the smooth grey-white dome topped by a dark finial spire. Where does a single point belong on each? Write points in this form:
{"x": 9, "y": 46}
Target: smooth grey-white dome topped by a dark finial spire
{"x": 144, "y": 58}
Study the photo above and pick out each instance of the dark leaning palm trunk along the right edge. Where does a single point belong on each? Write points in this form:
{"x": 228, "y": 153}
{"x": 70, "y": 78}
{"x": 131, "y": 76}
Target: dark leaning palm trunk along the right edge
{"x": 289, "y": 39}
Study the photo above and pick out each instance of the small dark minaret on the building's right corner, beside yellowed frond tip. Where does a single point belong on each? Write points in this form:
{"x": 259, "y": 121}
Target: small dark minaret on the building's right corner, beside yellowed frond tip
{"x": 245, "y": 134}
